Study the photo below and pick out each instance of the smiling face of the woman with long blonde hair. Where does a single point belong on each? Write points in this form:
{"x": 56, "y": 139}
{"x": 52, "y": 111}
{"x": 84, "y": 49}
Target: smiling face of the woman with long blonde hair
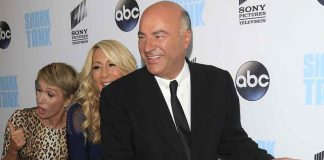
{"x": 103, "y": 71}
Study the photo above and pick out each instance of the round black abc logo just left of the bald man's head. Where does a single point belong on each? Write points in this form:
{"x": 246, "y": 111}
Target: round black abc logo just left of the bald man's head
{"x": 127, "y": 14}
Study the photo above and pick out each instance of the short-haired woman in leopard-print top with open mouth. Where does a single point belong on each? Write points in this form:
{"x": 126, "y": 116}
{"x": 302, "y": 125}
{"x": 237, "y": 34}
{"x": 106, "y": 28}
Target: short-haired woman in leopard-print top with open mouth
{"x": 40, "y": 132}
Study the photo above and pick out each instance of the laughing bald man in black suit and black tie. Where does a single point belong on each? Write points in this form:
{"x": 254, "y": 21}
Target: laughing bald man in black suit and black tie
{"x": 141, "y": 119}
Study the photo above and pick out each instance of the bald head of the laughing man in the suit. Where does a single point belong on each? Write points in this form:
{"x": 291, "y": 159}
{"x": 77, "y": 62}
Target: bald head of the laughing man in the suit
{"x": 163, "y": 37}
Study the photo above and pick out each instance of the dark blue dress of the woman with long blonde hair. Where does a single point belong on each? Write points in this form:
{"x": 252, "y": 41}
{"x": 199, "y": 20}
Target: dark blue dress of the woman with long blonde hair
{"x": 78, "y": 147}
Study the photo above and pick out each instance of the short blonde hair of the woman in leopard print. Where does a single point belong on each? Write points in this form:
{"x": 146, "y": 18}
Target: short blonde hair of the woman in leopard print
{"x": 61, "y": 75}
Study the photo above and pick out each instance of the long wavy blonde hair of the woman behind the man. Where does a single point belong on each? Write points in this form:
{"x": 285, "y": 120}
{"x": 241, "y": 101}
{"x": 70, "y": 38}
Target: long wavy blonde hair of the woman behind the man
{"x": 88, "y": 94}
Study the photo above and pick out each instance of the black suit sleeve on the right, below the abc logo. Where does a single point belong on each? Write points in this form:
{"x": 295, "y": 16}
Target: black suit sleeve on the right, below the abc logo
{"x": 235, "y": 143}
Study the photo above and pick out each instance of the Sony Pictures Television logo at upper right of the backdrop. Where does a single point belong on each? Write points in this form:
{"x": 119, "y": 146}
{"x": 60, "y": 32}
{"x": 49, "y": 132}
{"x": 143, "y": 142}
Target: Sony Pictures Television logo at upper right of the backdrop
{"x": 251, "y": 14}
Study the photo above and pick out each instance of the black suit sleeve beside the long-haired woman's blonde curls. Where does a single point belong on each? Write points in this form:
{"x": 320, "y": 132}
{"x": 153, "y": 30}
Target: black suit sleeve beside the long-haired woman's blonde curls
{"x": 116, "y": 137}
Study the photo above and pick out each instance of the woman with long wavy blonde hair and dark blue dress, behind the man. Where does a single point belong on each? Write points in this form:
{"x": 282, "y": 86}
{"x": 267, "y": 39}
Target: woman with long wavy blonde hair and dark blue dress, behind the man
{"x": 107, "y": 61}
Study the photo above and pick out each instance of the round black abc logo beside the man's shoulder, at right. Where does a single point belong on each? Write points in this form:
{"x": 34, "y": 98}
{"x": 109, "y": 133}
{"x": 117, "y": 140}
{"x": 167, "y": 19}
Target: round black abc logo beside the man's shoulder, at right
{"x": 252, "y": 80}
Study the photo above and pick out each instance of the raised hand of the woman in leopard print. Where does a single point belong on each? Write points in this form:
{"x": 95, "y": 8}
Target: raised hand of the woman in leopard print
{"x": 17, "y": 138}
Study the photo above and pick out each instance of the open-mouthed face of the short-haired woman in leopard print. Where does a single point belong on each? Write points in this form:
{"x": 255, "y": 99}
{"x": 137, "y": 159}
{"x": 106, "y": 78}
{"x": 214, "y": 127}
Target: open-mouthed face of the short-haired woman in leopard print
{"x": 50, "y": 101}
